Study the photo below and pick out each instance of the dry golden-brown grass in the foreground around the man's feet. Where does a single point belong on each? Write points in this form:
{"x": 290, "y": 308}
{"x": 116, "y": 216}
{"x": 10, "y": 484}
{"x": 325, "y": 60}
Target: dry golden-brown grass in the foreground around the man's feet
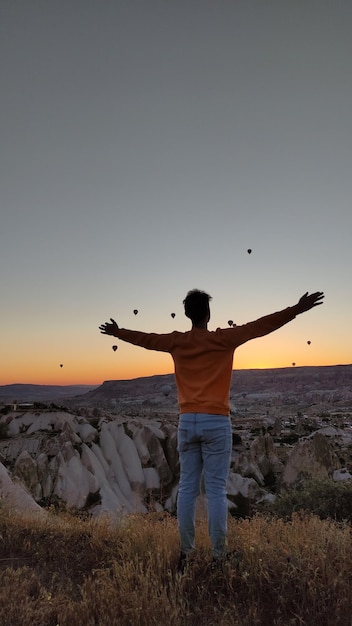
{"x": 64, "y": 571}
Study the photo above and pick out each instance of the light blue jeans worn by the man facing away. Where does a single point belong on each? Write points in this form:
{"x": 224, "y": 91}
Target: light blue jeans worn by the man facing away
{"x": 204, "y": 446}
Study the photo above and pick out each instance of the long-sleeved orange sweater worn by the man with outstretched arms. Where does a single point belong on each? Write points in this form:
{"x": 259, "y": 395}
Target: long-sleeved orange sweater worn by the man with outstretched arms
{"x": 203, "y": 359}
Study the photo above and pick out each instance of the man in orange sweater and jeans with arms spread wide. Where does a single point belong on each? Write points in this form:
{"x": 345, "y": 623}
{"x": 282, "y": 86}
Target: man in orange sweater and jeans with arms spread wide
{"x": 203, "y": 363}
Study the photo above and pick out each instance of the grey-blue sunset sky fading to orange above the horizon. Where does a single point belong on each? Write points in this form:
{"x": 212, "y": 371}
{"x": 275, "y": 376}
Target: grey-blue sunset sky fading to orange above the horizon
{"x": 145, "y": 147}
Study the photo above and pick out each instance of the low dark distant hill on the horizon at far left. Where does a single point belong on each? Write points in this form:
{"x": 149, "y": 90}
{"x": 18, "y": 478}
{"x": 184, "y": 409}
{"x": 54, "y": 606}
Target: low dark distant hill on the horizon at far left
{"x": 39, "y": 393}
